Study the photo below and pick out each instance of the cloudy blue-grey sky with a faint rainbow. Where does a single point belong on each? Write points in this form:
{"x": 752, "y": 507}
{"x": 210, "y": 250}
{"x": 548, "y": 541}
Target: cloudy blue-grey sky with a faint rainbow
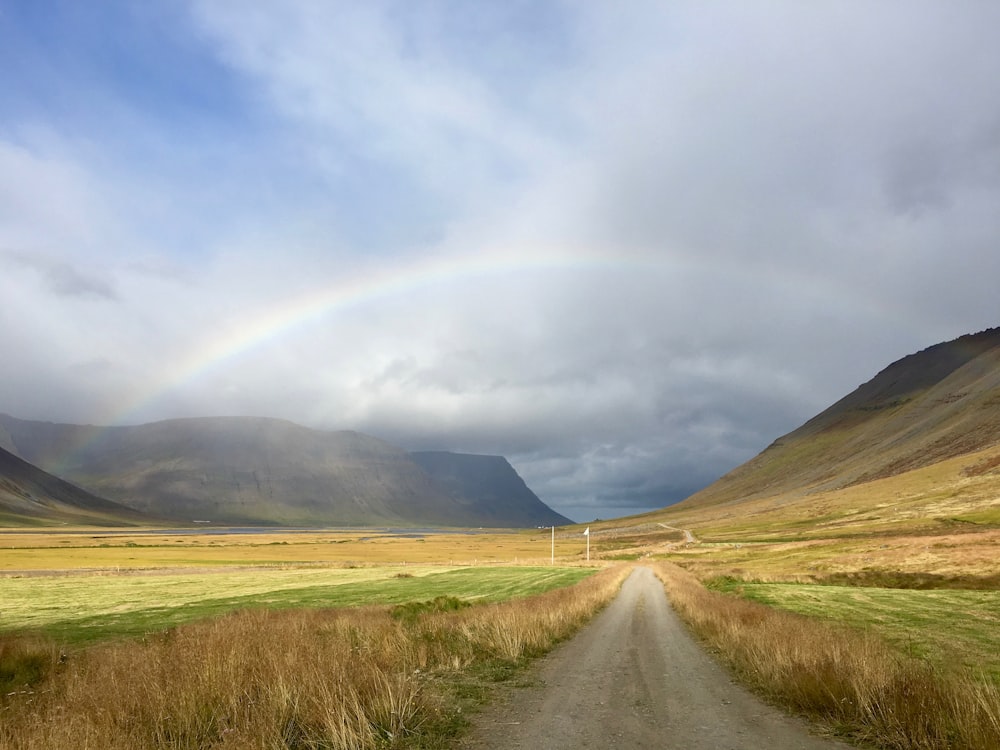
{"x": 625, "y": 244}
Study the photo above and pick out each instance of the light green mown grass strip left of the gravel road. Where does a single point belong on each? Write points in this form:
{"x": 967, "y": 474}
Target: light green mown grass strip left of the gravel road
{"x": 82, "y": 609}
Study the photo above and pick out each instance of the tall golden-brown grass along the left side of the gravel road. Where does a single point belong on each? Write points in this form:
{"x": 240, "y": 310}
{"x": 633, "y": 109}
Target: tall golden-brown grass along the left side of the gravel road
{"x": 258, "y": 679}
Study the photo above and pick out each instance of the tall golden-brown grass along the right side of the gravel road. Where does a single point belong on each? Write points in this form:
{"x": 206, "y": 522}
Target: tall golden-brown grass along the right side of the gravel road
{"x": 849, "y": 680}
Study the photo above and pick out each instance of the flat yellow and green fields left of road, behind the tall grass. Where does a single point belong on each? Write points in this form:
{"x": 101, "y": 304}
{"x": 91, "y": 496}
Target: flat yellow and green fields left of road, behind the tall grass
{"x": 88, "y": 585}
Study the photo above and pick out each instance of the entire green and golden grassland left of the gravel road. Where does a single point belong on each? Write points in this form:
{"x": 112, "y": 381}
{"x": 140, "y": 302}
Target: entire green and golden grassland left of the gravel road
{"x": 278, "y": 639}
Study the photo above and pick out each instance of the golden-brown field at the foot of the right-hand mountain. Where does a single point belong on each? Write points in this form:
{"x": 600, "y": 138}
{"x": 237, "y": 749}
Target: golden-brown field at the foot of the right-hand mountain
{"x": 942, "y": 520}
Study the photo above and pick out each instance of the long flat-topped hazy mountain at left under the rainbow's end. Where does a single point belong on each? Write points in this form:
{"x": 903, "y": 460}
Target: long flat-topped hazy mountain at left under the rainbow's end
{"x": 249, "y": 470}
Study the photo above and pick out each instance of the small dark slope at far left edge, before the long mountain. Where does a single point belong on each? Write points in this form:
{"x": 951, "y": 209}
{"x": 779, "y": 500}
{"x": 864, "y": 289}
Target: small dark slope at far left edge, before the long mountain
{"x": 30, "y": 496}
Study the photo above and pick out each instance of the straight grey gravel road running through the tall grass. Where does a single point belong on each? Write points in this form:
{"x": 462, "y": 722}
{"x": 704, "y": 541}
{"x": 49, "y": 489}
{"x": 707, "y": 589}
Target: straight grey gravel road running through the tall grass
{"x": 633, "y": 679}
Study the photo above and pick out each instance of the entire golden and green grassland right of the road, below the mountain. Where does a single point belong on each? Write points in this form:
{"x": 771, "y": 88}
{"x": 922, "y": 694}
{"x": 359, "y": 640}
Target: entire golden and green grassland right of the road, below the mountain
{"x": 873, "y": 609}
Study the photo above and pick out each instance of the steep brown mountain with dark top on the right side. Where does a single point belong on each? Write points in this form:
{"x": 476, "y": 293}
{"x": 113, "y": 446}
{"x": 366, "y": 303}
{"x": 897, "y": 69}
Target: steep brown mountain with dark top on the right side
{"x": 938, "y": 404}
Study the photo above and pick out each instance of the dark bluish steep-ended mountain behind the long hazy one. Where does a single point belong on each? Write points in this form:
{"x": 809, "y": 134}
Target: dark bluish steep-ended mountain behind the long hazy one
{"x": 490, "y": 484}
